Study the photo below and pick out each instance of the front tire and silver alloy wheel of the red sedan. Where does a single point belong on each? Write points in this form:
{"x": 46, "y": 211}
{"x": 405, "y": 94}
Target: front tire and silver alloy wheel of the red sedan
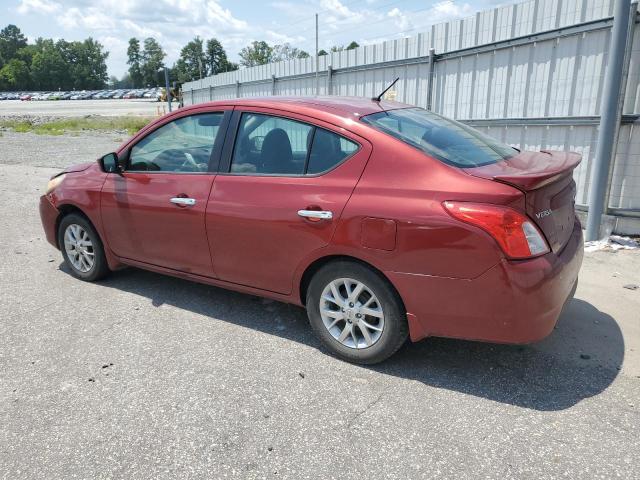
{"x": 78, "y": 267}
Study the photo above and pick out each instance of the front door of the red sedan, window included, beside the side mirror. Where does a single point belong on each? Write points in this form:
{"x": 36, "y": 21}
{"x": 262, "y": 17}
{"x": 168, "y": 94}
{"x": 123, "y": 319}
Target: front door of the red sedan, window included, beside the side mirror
{"x": 154, "y": 212}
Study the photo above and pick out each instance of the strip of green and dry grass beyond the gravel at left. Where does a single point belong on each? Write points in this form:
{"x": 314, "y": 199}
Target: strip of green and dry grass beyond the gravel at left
{"x": 64, "y": 125}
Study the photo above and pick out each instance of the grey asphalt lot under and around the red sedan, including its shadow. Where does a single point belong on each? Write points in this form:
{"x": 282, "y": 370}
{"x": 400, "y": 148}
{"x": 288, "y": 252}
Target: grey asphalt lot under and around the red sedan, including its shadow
{"x": 146, "y": 376}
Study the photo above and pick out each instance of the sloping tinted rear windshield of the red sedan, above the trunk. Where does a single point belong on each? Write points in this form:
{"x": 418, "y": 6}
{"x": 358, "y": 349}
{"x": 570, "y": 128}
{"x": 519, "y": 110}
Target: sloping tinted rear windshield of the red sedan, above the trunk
{"x": 442, "y": 138}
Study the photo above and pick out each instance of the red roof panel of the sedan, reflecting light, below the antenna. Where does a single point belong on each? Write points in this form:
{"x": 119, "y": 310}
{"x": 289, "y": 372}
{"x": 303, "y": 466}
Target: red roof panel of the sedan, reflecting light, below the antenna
{"x": 346, "y": 107}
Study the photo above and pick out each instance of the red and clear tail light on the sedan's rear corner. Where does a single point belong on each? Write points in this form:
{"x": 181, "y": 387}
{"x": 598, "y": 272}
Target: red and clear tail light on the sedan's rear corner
{"x": 515, "y": 233}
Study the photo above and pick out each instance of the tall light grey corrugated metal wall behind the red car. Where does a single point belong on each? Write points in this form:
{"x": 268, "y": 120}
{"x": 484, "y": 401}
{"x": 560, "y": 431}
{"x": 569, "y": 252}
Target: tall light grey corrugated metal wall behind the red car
{"x": 529, "y": 74}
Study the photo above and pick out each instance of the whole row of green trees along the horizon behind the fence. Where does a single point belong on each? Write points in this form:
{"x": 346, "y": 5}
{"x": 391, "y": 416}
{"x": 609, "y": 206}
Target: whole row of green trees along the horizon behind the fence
{"x": 81, "y": 65}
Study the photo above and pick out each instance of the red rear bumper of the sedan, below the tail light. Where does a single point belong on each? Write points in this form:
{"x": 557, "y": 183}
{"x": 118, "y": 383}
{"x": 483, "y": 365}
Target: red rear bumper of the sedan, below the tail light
{"x": 513, "y": 302}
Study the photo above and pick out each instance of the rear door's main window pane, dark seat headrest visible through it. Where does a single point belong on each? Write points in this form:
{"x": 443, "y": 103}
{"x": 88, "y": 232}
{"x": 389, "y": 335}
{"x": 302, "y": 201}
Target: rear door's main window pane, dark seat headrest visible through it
{"x": 270, "y": 145}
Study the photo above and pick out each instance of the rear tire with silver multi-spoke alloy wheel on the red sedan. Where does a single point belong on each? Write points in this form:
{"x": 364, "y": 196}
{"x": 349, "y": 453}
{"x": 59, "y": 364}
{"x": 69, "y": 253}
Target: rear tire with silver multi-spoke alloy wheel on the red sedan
{"x": 387, "y": 328}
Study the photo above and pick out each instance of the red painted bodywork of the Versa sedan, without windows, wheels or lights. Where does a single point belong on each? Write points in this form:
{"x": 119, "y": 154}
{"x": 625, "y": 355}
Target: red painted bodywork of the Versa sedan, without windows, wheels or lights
{"x": 387, "y": 200}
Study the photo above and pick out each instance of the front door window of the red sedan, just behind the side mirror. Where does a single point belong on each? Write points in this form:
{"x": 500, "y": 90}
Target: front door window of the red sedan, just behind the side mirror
{"x": 183, "y": 145}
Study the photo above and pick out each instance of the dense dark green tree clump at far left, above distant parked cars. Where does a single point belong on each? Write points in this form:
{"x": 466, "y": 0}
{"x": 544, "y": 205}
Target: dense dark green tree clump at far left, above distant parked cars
{"x": 48, "y": 64}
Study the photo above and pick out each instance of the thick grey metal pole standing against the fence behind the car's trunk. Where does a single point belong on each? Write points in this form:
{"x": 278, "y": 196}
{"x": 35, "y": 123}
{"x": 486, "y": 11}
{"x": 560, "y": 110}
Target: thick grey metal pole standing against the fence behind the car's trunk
{"x": 608, "y": 118}
